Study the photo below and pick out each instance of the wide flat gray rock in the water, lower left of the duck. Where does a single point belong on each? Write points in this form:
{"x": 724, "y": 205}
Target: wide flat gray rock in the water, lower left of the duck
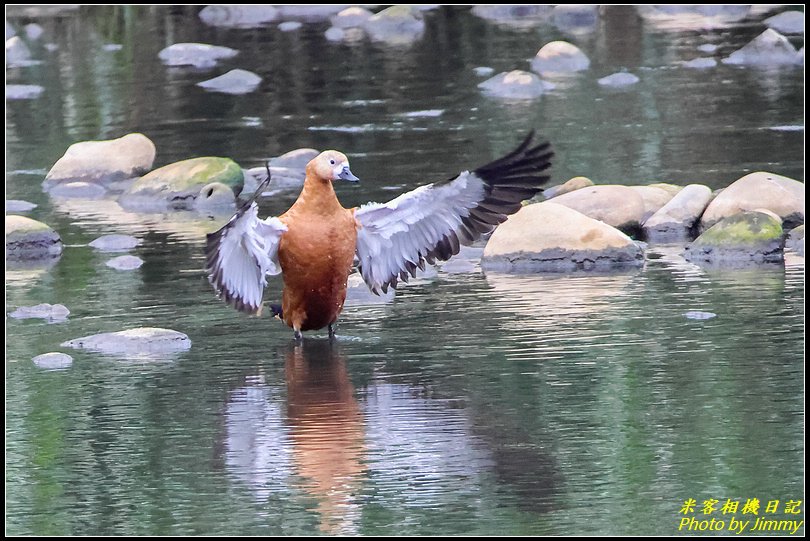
{"x": 142, "y": 340}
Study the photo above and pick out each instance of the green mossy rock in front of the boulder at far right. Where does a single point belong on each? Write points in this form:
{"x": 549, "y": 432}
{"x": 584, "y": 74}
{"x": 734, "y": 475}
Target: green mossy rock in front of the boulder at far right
{"x": 747, "y": 237}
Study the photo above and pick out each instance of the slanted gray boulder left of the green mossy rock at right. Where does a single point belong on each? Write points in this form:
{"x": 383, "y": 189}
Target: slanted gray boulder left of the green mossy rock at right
{"x": 677, "y": 218}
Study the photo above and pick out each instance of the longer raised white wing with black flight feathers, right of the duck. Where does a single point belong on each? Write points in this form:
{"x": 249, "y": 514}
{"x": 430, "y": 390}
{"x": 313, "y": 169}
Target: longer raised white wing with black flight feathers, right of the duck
{"x": 430, "y": 222}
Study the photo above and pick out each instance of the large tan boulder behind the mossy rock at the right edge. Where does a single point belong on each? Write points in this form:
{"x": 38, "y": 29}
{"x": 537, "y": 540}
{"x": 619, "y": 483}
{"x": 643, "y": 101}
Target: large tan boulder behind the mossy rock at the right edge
{"x": 781, "y": 195}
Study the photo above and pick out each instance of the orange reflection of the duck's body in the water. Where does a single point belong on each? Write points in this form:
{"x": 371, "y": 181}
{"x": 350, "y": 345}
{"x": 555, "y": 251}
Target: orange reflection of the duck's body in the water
{"x": 327, "y": 431}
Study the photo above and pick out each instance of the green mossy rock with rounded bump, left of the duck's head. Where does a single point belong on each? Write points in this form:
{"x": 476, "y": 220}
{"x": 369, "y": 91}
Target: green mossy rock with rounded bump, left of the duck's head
{"x": 185, "y": 185}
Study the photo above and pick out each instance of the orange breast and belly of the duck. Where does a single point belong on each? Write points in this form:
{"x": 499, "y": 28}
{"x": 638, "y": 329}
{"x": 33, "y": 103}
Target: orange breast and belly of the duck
{"x": 316, "y": 255}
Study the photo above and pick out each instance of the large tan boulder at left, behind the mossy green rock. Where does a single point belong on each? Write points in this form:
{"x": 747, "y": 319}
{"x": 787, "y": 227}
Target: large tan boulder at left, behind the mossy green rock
{"x": 103, "y": 161}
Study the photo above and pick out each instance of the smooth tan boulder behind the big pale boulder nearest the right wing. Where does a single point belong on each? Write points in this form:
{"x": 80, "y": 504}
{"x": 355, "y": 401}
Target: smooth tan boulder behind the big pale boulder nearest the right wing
{"x": 618, "y": 206}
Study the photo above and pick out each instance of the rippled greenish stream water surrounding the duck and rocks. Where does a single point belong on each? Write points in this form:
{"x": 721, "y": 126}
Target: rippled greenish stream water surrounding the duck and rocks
{"x": 472, "y": 404}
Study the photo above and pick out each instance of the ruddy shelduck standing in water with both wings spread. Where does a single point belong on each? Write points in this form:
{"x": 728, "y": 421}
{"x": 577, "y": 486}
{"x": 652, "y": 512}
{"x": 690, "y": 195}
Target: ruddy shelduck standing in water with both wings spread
{"x": 315, "y": 243}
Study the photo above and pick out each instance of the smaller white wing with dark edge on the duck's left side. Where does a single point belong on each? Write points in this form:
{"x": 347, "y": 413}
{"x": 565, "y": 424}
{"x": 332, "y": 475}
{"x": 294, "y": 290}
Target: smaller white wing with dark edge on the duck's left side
{"x": 241, "y": 254}
